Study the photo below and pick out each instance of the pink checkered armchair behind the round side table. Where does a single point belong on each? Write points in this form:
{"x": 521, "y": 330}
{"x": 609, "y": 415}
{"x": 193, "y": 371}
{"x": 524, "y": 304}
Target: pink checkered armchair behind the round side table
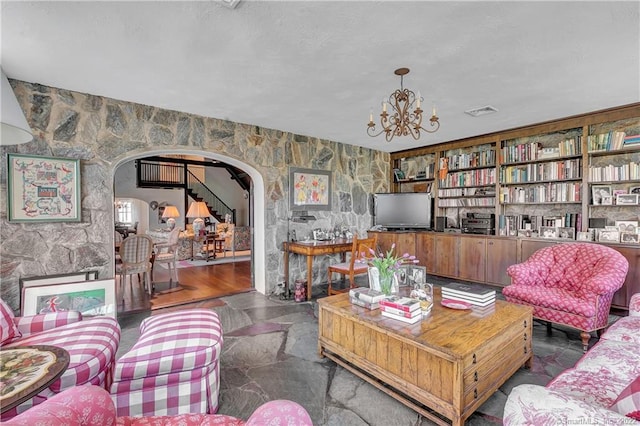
{"x": 92, "y": 344}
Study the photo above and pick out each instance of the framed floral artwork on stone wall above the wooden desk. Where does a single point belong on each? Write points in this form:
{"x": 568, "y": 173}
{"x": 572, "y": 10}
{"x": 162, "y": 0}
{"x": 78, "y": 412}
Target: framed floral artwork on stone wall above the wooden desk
{"x": 309, "y": 189}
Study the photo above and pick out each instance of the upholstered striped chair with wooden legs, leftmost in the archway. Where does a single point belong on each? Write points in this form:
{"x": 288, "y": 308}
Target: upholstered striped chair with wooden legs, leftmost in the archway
{"x": 135, "y": 254}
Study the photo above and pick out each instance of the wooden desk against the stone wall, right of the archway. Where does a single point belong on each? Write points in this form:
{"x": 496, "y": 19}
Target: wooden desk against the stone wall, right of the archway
{"x": 310, "y": 249}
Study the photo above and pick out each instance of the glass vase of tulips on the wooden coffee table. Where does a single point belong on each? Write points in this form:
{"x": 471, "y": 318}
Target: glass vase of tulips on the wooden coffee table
{"x": 383, "y": 268}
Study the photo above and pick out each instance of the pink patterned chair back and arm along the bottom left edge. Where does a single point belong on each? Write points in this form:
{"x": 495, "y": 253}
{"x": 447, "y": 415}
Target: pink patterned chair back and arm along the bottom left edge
{"x": 92, "y": 406}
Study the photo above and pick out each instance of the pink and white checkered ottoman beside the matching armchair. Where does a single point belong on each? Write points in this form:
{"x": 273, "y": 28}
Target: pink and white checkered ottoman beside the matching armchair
{"x": 173, "y": 367}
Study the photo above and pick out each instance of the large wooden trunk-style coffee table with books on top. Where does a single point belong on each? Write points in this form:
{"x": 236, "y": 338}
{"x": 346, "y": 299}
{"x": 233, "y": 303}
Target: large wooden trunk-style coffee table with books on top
{"x": 444, "y": 367}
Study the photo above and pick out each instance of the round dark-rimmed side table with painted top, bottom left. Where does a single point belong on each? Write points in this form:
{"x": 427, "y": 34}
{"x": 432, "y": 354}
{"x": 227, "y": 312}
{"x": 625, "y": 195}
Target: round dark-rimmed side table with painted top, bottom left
{"x": 28, "y": 370}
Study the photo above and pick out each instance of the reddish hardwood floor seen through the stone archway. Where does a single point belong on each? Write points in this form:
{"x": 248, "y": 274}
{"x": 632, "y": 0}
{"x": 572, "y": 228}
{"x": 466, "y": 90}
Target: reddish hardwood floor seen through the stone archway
{"x": 196, "y": 283}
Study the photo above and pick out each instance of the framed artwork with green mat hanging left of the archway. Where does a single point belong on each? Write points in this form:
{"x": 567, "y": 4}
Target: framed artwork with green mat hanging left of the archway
{"x": 43, "y": 189}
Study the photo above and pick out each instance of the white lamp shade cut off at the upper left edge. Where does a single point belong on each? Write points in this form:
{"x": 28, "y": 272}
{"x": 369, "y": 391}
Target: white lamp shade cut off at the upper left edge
{"x": 15, "y": 129}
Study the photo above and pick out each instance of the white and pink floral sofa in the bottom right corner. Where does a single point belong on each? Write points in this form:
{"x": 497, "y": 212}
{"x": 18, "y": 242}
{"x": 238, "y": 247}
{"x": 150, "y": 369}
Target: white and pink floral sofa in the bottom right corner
{"x": 585, "y": 393}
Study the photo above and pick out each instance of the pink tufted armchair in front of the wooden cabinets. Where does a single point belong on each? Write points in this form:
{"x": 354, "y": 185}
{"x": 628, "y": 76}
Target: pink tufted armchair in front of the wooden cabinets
{"x": 570, "y": 284}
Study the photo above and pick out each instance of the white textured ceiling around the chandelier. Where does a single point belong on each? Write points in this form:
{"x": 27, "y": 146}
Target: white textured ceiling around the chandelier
{"x": 316, "y": 68}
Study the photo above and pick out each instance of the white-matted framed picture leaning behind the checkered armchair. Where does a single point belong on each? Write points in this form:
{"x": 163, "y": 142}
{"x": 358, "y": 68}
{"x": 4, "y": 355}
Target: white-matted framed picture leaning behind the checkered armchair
{"x": 91, "y": 298}
